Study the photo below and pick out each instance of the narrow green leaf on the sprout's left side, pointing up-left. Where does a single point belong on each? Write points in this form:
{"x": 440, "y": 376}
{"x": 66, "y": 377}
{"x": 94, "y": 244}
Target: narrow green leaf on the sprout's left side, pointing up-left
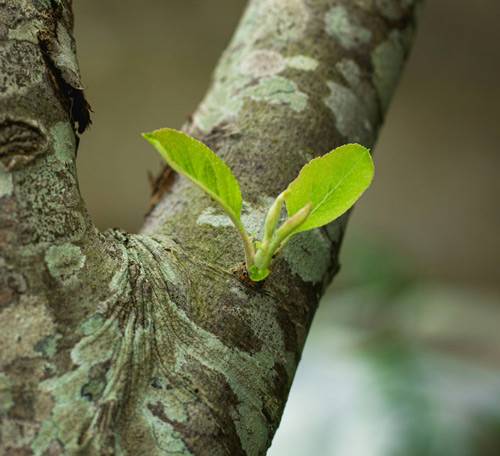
{"x": 200, "y": 164}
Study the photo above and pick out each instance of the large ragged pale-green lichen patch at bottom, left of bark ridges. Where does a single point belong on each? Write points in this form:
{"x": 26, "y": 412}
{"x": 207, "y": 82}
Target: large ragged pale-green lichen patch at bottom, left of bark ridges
{"x": 82, "y": 397}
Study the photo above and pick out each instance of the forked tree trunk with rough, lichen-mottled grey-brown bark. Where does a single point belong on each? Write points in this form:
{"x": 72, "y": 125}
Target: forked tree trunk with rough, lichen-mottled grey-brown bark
{"x": 114, "y": 343}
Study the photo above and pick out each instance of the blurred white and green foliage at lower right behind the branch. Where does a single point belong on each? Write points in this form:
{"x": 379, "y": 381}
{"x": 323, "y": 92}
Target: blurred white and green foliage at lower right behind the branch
{"x": 396, "y": 366}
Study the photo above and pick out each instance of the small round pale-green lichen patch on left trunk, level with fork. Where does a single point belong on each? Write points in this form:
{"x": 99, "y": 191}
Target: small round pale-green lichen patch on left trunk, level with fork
{"x": 64, "y": 262}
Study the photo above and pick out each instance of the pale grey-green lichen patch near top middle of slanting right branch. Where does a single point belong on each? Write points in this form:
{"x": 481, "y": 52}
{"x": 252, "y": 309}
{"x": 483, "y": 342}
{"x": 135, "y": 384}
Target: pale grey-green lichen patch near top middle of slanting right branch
{"x": 346, "y": 29}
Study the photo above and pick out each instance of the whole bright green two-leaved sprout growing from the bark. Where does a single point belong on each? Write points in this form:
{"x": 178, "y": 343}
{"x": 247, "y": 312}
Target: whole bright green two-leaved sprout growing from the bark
{"x": 325, "y": 188}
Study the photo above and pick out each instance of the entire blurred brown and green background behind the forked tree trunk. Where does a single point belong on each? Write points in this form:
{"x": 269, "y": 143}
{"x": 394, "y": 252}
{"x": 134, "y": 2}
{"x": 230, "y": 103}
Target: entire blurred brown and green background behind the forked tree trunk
{"x": 404, "y": 358}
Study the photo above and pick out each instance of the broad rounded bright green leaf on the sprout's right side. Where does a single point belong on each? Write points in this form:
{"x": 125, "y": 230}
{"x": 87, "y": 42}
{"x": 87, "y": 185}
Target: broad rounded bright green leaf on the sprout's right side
{"x": 331, "y": 183}
